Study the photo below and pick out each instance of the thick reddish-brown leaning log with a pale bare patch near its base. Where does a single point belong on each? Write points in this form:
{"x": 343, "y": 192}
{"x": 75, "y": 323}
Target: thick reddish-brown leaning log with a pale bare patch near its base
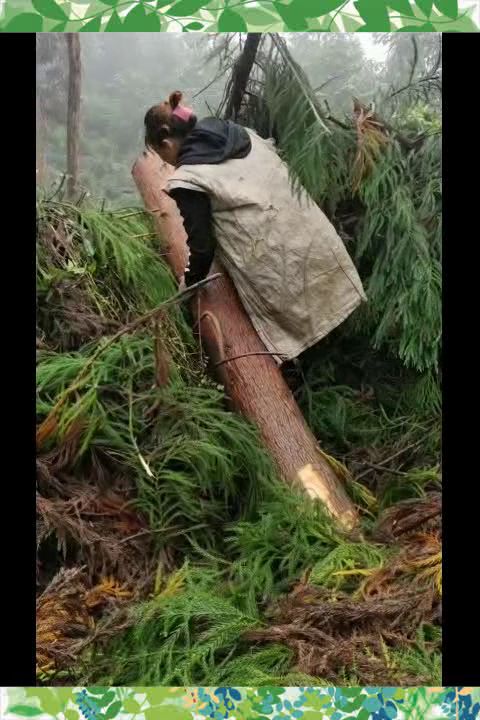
{"x": 254, "y": 383}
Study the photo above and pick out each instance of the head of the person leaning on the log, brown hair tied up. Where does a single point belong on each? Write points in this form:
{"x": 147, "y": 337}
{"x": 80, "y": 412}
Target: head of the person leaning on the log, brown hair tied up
{"x": 167, "y": 125}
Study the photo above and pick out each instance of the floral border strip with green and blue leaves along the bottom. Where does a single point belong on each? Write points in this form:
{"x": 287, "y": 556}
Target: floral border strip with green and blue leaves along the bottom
{"x": 241, "y": 703}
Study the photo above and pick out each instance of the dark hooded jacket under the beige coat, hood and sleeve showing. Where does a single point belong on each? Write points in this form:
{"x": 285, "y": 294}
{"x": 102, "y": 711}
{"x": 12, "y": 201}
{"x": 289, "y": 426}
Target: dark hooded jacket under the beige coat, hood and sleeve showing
{"x": 212, "y": 141}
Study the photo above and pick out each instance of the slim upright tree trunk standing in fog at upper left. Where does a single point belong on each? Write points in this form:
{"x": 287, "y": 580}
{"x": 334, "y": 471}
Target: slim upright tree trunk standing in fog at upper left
{"x": 73, "y": 112}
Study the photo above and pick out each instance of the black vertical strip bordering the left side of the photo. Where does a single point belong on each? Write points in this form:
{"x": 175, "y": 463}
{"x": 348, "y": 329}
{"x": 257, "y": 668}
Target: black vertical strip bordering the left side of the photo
{"x": 18, "y": 546}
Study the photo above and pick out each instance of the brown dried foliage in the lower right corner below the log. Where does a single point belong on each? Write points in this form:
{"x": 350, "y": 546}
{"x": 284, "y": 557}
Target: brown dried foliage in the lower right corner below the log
{"x": 331, "y": 632}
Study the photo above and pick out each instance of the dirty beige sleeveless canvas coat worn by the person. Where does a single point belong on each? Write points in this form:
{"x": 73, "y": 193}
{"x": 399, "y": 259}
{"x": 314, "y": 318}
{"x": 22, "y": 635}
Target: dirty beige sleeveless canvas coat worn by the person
{"x": 290, "y": 268}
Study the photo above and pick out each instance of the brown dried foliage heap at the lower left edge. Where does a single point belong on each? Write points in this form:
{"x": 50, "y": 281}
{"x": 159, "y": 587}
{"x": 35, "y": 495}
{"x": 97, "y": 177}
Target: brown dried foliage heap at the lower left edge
{"x": 106, "y": 551}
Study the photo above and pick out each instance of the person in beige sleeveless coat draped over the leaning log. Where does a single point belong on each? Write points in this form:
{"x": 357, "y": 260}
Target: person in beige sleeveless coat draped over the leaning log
{"x": 289, "y": 266}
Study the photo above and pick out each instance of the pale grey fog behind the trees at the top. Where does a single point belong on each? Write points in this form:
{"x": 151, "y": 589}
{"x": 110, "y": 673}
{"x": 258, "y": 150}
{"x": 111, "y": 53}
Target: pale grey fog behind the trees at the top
{"x": 124, "y": 74}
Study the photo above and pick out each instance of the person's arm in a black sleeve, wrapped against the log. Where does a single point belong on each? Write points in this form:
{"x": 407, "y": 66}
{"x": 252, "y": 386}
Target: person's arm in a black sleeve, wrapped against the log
{"x": 195, "y": 209}
